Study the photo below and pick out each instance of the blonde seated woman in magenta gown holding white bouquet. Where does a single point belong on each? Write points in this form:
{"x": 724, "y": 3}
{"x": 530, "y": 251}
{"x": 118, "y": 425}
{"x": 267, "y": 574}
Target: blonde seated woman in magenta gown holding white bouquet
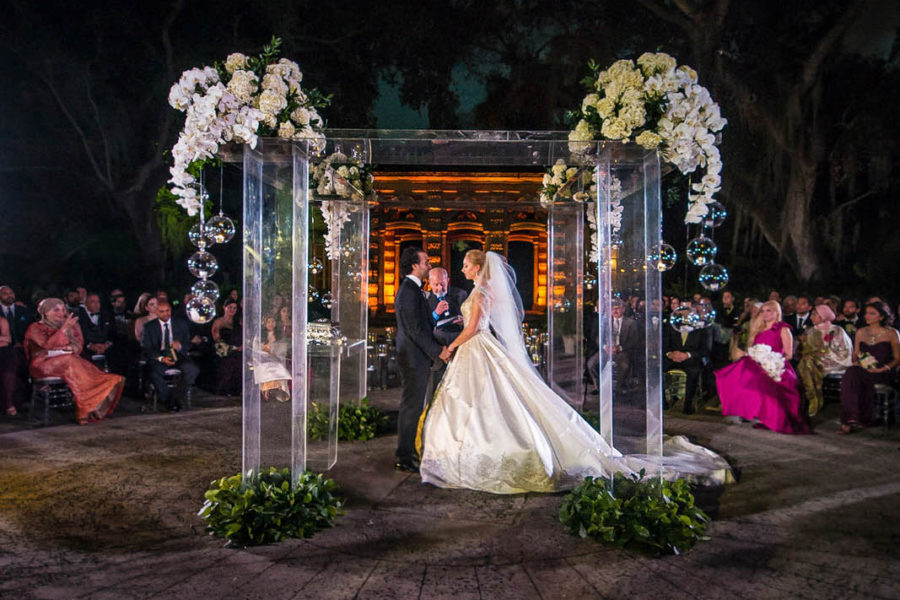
{"x": 748, "y": 390}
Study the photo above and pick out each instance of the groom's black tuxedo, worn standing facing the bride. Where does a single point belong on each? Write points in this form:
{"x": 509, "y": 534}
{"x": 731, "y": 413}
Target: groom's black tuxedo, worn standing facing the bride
{"x": 417, "y": 350}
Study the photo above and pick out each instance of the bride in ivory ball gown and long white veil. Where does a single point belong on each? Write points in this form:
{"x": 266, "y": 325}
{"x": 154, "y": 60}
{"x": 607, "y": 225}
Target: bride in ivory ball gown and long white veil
{"x": 493, "y": 424}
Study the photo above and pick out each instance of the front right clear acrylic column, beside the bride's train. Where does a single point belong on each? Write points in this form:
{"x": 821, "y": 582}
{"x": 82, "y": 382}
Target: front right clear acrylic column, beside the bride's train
{"x": 631, "y": 372}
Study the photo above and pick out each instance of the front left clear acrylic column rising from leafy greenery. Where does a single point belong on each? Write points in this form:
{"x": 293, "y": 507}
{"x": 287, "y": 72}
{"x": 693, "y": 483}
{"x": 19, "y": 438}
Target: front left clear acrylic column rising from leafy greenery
{"x": 276, "y": 234}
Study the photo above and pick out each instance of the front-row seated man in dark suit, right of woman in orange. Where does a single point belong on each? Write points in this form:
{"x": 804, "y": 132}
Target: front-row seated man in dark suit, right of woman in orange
{"x": 165, "y": 343}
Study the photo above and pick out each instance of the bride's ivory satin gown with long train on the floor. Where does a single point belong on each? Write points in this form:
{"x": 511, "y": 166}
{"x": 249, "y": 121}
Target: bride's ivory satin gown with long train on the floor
{"x": 494, "y": 425}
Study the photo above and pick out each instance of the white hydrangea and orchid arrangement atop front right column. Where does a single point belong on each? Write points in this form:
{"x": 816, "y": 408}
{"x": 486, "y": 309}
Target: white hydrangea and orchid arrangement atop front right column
{"x": 660, "y": 106}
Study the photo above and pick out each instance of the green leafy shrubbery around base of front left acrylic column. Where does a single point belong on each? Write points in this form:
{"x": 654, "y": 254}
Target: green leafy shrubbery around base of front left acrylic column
{"x": 269, "y": 509}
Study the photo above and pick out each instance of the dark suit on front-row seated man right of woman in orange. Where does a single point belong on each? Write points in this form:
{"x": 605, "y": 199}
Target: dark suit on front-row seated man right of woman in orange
{"x": 152, "y": 351}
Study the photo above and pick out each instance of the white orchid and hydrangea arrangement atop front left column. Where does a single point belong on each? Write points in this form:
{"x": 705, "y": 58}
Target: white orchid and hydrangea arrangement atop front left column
{"x": 239, "y": 100}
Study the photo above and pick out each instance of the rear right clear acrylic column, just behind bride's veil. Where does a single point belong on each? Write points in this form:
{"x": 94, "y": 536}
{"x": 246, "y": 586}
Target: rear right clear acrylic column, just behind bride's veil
{"x": 565, "y": 305}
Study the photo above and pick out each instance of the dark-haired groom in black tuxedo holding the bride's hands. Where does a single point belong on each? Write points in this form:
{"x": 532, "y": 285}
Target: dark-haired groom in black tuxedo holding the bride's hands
{"x": 417, "y": 351}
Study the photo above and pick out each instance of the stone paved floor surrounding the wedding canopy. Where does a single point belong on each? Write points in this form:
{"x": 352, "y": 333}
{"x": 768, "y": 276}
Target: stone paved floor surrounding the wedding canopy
{"x": 109, "y": 511}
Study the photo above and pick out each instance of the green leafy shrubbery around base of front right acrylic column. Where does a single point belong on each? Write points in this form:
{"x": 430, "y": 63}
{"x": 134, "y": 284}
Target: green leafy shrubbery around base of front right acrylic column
{"x": 651, "y": 515}
